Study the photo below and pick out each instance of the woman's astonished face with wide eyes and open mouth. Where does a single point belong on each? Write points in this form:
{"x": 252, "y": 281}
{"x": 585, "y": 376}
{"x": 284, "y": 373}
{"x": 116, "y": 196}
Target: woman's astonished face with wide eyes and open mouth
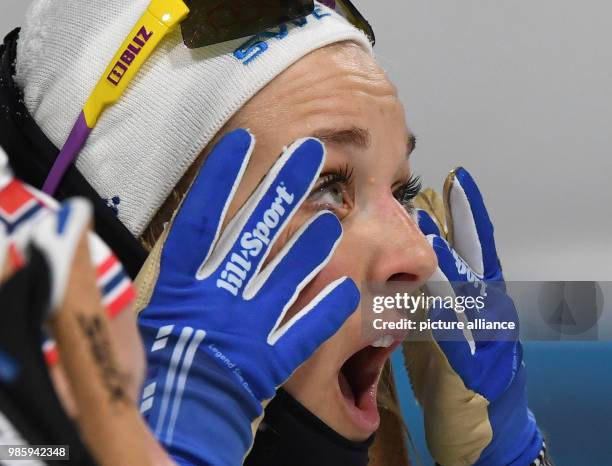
{"x": 340, "y": 95}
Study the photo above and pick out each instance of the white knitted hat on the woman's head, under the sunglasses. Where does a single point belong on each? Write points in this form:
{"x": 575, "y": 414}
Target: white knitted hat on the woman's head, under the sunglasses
{"x": 142, "y": 146}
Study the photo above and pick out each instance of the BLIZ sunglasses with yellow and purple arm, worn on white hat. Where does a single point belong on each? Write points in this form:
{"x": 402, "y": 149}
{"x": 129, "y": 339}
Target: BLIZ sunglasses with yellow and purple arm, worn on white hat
{"x": 203, "y": 22}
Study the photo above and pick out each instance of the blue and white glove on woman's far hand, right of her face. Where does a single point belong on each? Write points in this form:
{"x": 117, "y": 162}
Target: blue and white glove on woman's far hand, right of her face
{"x": 489, "y": 362}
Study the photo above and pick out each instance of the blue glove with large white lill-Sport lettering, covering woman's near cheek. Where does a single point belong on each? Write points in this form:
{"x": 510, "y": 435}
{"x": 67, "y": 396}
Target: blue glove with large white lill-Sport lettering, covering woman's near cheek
{"x": 215, "y": 346}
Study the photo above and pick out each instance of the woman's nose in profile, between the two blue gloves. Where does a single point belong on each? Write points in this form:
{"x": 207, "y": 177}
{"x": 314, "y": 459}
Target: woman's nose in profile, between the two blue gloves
{"x": 400, "y": 251}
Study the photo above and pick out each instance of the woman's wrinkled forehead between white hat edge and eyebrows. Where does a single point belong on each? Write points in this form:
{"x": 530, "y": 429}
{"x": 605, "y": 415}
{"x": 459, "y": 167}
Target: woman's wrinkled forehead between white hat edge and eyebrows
{"x": 336, "y": 86}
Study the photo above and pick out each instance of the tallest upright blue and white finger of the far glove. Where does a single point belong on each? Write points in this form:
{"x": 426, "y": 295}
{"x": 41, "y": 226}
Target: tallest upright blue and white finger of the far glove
{"x": 472, "y": 230}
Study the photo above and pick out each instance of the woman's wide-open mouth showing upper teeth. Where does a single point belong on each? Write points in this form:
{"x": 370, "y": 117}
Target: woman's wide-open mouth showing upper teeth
{"x": 358, "y": 380}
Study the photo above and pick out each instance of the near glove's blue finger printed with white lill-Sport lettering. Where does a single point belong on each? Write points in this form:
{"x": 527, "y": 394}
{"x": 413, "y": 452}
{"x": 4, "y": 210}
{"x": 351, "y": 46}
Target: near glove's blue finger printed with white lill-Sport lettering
{"x": 249, "y": 237}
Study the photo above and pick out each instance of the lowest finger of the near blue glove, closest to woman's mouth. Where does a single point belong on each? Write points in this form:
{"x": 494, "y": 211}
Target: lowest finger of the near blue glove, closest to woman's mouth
{"x": 318, "y": 321}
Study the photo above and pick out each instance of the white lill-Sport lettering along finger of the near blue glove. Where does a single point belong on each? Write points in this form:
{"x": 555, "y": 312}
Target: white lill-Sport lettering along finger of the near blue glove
{"x": 252, "y": 242}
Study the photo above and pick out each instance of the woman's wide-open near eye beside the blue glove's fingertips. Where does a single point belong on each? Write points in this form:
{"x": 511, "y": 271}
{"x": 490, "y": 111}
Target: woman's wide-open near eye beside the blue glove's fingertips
{"x": 332, "y": 192}
